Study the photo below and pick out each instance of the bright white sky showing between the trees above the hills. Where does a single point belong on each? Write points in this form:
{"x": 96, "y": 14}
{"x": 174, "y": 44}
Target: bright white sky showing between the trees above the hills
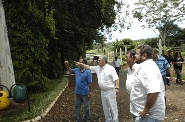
{"x": 136, "y": 32}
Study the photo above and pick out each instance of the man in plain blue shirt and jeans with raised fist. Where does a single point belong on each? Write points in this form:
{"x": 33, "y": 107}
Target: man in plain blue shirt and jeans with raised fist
{"x": 83, "y": 78}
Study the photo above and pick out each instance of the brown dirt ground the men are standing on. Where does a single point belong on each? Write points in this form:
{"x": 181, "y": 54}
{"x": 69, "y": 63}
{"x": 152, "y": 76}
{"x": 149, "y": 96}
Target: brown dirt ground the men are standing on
{"x": 63, "y": 110}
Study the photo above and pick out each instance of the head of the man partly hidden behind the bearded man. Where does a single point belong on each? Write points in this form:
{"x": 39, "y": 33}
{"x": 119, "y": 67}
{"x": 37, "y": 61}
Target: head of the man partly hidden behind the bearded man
{"x": 130, "y": 57}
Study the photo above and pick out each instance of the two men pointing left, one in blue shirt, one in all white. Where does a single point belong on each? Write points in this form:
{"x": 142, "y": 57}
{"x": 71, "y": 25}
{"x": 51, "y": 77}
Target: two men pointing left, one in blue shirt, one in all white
{"x": 108, "y": 81}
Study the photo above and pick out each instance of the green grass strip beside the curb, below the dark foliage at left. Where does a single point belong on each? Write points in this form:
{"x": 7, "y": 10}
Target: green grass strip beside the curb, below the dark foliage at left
{"x": 41, "y": 102}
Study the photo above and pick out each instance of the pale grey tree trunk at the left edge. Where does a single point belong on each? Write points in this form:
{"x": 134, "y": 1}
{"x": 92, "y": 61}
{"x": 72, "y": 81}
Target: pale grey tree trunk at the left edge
{"x": 6, "y": 67}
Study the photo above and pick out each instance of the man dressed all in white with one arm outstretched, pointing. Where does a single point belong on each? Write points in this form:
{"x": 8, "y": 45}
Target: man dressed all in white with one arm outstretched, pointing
{"x": 108, "y": 81}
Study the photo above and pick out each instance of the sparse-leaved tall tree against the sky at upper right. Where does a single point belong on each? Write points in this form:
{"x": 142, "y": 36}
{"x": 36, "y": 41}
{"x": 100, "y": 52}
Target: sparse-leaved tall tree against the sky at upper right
{"x": 157, "y": 14}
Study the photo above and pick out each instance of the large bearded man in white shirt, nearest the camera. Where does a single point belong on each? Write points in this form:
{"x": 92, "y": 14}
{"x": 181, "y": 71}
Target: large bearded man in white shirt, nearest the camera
{"x": 147, "y": 94}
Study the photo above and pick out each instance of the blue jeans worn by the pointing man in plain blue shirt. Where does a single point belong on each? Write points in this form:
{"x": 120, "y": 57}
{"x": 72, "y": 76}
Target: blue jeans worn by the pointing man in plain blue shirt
{"x": 79, "y": 100}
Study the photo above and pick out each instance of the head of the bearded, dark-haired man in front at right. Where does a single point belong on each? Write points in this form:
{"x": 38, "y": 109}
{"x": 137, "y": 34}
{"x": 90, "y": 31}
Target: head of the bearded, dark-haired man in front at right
{"x": 143, "y": 53}
